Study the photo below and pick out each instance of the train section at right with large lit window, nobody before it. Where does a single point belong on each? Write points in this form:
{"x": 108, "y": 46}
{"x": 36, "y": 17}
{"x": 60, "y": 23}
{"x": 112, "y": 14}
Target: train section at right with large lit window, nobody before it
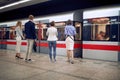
{"x": 101, "y": 33}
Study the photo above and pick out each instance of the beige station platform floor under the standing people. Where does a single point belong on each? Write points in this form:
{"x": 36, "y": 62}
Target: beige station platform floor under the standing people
{"x": 43, "y": 69}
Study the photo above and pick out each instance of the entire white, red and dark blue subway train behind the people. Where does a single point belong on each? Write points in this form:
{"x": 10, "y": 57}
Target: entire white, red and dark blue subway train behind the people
{"x": 98, "y": 33}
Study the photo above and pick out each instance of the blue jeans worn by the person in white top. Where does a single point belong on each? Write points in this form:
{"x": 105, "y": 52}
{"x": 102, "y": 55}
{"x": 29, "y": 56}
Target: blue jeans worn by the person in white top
{"x": 52, "y": 44}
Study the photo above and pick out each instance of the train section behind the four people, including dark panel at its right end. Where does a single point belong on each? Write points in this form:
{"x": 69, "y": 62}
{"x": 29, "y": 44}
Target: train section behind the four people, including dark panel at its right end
{"x": 41, "y": 43}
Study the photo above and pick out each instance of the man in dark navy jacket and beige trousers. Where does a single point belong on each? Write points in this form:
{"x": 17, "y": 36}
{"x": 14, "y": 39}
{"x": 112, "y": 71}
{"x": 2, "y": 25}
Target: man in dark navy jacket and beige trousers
{"x": 30, "y": 36}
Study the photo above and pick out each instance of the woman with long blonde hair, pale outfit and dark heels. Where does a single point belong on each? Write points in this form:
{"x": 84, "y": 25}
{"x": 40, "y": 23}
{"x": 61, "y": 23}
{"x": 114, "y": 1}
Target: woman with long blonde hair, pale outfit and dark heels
{"x": 19, "y": 36}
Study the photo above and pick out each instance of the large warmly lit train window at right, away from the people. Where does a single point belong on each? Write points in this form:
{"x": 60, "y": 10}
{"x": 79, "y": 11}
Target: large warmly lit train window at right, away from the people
{"x": 100, "y": 29}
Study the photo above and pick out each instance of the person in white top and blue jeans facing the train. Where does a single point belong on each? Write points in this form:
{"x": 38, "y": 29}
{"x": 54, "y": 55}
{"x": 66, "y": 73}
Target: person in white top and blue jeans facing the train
{"x": 52, "y": 38}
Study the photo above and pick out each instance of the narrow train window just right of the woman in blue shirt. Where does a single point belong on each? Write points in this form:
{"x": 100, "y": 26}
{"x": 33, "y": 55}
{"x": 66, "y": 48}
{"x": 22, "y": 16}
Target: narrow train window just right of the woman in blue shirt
{"x": 78, "y": 31}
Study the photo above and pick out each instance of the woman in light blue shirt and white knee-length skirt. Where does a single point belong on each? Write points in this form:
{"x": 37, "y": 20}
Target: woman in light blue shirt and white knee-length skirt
{"x": 70, "y": 32}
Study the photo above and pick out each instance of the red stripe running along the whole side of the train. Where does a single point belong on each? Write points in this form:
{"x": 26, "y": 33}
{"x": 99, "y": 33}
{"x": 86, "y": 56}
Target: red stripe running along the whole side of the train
{"x": 84, "y": 46}
